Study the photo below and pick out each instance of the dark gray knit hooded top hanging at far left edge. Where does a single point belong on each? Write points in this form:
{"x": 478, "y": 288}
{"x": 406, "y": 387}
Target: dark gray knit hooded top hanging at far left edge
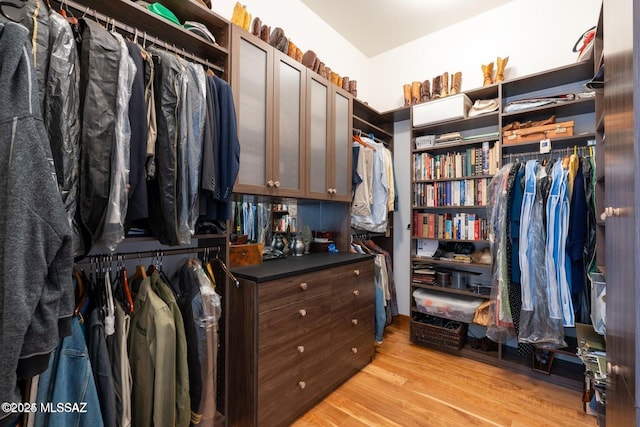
{"x": 36, "y": 251}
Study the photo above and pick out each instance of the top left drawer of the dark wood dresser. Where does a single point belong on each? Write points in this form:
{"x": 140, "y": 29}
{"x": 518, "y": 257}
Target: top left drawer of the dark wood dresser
{"x": 293, "y": 289}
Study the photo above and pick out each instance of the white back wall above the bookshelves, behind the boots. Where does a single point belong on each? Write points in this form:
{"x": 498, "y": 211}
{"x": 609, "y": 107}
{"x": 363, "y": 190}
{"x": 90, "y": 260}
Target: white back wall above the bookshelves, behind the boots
{"x": 536, "y": 35}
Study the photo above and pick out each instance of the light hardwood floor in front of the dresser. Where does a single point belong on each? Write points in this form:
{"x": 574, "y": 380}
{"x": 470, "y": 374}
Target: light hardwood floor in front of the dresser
{"x": 411, "y": 385}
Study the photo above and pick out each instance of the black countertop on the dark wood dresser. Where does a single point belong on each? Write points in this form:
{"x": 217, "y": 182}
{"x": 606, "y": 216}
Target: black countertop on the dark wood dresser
{"x": 290, "y": 266}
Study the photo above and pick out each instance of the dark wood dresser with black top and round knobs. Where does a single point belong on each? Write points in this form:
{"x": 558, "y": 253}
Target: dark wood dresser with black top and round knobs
{"x": 298, "y": 328}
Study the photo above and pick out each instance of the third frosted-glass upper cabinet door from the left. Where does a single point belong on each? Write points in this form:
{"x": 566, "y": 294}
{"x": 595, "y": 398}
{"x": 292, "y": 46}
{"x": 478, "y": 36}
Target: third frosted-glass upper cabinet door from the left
{"x": 318, "y": 136}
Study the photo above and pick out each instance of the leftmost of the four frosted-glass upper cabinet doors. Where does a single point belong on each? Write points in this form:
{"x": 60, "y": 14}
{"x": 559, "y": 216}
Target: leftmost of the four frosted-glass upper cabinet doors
{"x": 252, "y": 70}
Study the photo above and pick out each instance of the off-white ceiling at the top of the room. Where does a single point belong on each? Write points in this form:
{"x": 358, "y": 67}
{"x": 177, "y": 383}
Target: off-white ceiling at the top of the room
{"x": 376, "y": 26}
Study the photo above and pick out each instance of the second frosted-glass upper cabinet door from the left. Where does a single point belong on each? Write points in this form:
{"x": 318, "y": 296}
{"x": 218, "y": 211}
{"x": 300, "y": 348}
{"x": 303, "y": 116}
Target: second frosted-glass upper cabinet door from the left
{"x": 289, "y": 126}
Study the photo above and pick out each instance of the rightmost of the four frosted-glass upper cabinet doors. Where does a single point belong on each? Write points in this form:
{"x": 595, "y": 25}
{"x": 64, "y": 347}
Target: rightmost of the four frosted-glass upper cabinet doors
{"x": 341, "y": 147}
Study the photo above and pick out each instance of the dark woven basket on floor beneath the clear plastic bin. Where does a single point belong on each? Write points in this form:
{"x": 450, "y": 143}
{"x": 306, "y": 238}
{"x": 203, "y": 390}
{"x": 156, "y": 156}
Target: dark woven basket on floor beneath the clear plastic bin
{"x": 426, "y": 329}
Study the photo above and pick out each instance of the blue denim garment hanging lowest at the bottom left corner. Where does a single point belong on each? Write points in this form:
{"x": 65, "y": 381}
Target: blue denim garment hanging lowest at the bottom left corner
{"x": 69, "y": 379}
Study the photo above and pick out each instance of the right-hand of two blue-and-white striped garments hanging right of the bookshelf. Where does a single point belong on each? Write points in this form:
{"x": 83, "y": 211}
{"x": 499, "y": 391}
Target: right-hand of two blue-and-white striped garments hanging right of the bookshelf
{"x": 560, "y": 304}
